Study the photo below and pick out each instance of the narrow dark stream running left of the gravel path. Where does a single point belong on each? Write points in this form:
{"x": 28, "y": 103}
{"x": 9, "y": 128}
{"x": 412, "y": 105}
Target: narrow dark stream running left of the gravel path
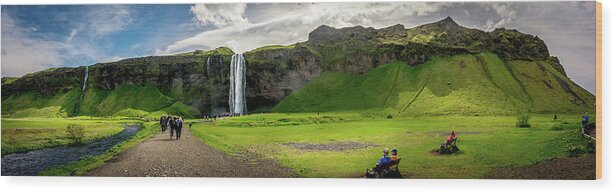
{"x": 33, "y": 162}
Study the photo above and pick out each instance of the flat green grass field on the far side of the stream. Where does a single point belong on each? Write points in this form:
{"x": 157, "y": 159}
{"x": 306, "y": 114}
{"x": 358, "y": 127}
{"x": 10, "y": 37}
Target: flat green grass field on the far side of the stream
{"x": 25, "y": 134}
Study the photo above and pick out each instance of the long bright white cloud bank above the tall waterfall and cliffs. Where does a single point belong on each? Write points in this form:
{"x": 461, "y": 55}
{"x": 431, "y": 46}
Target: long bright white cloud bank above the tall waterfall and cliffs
{"x": 290, "y": 23}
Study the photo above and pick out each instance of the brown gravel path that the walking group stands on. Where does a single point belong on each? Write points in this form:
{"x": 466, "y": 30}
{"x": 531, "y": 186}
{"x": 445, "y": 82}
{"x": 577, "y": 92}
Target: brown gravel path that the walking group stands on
{"x": 160, "y": 156}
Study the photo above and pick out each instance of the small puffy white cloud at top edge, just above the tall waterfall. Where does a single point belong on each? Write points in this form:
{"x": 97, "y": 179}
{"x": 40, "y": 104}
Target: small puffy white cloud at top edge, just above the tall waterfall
{"x": 219, "y": 15}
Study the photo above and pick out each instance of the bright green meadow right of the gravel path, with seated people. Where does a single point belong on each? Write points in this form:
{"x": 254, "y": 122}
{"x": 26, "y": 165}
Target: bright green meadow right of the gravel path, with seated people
{"x": 486, "y": 143}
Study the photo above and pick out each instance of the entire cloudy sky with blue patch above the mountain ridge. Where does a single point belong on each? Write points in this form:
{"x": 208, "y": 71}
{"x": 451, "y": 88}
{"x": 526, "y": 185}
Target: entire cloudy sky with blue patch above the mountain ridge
{"x": 35, "y": 38}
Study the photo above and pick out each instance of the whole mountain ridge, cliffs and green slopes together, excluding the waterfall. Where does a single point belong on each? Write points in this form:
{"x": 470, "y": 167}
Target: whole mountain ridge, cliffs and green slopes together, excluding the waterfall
{"x": 436, "y": 68}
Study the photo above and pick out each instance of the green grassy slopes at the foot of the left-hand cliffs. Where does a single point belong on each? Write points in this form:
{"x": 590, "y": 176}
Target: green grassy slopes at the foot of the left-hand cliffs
{"x": 125, "y": 100}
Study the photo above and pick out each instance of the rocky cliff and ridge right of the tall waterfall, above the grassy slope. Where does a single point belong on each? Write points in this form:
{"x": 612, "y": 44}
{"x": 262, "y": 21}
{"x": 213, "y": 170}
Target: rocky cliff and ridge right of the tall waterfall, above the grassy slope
{"x": 275, "y": 73}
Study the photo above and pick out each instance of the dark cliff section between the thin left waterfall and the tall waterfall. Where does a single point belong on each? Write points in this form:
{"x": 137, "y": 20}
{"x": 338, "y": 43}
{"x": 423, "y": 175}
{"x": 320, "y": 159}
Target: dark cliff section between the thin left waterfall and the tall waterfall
{"x": 200, "y": 81}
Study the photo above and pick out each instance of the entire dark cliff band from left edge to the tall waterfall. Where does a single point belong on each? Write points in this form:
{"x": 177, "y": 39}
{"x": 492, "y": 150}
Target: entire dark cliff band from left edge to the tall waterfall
{"x": 188, "y": 78}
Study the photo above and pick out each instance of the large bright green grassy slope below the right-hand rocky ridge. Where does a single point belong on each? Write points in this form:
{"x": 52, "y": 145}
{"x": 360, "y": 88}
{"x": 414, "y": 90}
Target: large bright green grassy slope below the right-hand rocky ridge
{"x": 480, "y": 84}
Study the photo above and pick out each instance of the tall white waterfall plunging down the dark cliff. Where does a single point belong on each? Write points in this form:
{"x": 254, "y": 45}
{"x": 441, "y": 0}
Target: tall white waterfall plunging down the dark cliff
{"x": 237, "y": 98}
